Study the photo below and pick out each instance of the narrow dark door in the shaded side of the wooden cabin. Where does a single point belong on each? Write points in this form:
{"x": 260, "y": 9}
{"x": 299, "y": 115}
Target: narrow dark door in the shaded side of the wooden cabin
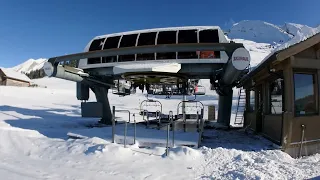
{"x": 259, "y": 107}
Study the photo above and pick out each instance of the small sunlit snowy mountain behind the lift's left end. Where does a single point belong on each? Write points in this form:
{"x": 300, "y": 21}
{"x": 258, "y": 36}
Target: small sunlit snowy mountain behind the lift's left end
{"x": 30, "y": 65}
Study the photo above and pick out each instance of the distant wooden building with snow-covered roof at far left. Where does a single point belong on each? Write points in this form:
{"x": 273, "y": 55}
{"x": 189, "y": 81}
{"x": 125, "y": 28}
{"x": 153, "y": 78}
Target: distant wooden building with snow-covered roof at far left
{"x": 10, "y": 77}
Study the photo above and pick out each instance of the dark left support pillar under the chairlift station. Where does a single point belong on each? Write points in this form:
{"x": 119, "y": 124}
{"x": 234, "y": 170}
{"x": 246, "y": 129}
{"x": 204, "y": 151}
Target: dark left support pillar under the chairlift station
{"x": 102, "y": 97}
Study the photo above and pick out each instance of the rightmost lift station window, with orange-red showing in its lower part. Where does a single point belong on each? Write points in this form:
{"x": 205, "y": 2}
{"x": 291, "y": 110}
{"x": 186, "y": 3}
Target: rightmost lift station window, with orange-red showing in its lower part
{"x": 209, "y": 36}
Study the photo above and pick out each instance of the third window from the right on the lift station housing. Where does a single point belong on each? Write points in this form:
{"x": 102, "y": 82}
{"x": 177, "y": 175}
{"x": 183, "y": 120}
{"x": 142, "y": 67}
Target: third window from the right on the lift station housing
{"x": 167, "y": 37}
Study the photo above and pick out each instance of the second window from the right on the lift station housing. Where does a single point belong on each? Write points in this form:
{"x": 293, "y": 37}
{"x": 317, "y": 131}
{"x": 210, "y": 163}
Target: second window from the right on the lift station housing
{"x": 187, "y": 36}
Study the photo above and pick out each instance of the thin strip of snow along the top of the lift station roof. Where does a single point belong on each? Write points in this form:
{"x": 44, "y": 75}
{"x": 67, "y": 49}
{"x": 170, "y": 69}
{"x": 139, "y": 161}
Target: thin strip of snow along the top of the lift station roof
{"x": 158, "y": 29}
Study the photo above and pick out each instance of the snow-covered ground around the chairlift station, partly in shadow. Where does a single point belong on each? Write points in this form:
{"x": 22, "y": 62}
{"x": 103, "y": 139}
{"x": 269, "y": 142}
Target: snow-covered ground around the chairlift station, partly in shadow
{"x": 34, "y": 123}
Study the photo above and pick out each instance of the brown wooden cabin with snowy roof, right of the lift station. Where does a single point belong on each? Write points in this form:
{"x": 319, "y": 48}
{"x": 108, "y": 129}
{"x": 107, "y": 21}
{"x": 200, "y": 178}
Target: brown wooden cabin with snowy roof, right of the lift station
{"x": 282, "y": 97}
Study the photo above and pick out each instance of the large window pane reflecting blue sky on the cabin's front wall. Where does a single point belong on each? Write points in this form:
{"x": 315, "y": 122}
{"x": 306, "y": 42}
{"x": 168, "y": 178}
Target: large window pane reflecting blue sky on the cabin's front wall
{"x": 304, "y": 94}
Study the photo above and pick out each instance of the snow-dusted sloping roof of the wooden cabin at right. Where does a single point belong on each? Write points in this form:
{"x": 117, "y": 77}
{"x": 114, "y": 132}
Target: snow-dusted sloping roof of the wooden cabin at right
{"x": 285, "y": 50}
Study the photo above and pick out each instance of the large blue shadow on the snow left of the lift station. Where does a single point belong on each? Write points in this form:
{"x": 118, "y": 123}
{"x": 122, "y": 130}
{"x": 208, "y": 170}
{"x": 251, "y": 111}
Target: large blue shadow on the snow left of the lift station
{"x": 52, "y": 123}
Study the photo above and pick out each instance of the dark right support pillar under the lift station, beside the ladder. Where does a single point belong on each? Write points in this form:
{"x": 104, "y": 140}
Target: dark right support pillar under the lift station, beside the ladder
{"x": 225, "y": 105}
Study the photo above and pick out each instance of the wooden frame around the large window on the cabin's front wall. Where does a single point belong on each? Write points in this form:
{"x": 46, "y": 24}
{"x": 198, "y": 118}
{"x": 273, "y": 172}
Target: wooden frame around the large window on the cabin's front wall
{"x": 314, "y": 74}
